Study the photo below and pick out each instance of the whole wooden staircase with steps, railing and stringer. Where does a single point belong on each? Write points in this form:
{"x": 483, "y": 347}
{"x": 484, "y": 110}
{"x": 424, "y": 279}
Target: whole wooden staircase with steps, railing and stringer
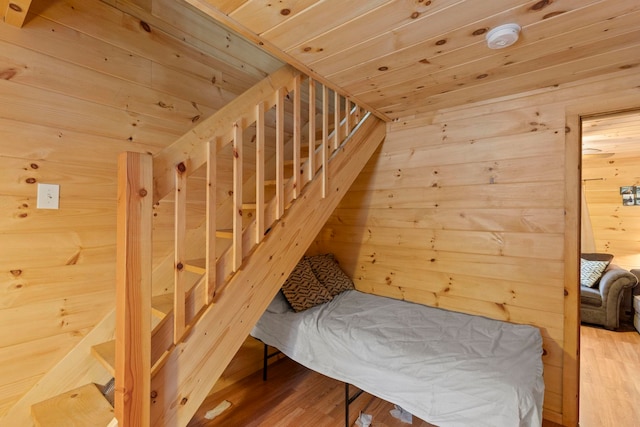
{"x": 246, "y": 246}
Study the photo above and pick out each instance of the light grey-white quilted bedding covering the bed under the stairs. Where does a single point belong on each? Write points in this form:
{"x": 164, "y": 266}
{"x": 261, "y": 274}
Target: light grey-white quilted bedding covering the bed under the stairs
{"x": 447, "y": 368}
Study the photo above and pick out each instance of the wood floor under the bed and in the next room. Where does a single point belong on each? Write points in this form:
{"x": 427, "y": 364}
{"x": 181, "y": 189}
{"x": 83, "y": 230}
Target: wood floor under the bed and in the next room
{"x": 296, "y": 396}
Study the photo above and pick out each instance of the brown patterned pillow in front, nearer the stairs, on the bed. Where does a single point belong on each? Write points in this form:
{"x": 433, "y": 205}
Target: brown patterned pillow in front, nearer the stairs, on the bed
{"x": 303, "y": 290}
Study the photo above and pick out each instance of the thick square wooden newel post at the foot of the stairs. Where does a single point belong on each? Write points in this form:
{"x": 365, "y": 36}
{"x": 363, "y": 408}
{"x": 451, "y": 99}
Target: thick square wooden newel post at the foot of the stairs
{"x": 133, "y": 290}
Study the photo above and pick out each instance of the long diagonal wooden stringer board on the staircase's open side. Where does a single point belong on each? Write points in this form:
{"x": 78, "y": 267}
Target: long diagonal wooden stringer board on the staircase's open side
{"x": 182, "y": 383}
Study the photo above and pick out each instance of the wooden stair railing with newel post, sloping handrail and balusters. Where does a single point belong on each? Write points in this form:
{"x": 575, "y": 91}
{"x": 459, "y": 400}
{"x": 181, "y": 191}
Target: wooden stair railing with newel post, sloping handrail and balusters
{"x": 144, "y": 181}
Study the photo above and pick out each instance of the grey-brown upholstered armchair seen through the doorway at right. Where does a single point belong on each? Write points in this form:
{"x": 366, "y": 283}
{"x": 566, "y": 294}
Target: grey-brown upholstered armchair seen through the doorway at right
{"x": 600, "y": 304}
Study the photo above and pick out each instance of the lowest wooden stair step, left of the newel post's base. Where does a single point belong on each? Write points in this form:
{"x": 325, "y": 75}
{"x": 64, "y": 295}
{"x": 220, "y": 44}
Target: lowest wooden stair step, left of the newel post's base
{"x": 84, "y": 406}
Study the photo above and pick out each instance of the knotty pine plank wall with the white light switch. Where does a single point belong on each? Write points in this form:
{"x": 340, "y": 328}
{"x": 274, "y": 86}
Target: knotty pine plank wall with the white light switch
{"x": 79, "y": 83}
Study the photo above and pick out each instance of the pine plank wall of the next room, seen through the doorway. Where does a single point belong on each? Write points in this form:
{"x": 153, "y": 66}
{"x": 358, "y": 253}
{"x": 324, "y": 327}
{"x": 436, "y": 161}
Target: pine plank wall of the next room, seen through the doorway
{"x": 616, "y": 228}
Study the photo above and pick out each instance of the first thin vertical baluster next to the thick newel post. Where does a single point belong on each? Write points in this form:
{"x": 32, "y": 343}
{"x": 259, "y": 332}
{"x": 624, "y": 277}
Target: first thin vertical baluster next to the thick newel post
{"x": 180, "y": 232}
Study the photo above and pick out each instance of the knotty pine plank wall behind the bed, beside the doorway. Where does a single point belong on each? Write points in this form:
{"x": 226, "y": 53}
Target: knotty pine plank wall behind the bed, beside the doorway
{"x": 464, "y": 209}
